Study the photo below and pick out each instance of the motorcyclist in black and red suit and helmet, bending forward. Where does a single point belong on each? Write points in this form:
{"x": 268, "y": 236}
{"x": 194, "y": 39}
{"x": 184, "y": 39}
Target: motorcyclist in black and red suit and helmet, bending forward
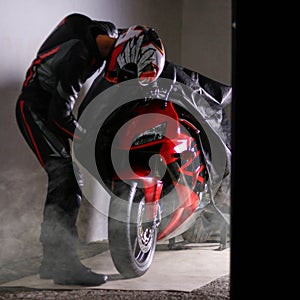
{"x": 73, "y": 52}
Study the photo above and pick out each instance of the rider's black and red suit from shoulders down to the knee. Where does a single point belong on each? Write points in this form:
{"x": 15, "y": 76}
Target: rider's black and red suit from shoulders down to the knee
{"x": 67, "y": 58}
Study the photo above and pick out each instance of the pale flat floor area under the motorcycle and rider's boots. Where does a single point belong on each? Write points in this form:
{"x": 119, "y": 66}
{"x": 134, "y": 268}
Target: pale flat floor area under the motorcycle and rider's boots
{"x": 172, "y": 270}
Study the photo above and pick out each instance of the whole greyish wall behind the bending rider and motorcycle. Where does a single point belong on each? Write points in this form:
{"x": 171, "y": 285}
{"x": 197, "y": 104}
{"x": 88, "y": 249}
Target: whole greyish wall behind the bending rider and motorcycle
{"x": 23, "y": 27}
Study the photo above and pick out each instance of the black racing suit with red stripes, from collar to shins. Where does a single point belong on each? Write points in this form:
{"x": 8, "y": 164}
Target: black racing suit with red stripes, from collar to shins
{"x": 67, "y": 58}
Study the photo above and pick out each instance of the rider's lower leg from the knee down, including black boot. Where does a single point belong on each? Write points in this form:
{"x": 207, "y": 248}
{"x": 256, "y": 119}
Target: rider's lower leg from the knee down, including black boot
{"x": 59, "y": 233}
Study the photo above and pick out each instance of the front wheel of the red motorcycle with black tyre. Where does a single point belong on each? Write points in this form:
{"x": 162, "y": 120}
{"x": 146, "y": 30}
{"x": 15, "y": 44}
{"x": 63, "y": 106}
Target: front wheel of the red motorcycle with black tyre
{"x": 132, "y": 241}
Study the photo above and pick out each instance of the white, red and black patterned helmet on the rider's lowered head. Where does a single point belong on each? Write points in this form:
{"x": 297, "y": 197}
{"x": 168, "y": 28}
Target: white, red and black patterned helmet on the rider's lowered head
{"x": 138, "y": 53}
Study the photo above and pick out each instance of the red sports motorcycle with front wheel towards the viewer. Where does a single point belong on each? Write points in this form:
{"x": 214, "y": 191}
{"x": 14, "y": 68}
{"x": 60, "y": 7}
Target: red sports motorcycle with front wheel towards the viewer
{"x": 154, "y": 158}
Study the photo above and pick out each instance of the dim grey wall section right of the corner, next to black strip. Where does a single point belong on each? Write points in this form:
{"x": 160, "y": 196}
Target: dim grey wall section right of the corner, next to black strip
{"x": 206, "y": 38}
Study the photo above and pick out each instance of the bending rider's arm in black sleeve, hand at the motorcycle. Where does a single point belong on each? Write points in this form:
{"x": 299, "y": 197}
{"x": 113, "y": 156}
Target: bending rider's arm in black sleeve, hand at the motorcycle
{"x": 70, "y": 76}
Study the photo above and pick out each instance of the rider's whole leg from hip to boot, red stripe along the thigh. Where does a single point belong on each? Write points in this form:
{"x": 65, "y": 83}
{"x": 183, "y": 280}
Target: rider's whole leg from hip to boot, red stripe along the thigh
{"x": 58, "y": 230}
